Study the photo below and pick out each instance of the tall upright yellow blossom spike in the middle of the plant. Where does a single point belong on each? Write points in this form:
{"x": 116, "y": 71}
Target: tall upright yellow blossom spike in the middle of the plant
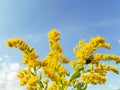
{"x": 52, "y": 64}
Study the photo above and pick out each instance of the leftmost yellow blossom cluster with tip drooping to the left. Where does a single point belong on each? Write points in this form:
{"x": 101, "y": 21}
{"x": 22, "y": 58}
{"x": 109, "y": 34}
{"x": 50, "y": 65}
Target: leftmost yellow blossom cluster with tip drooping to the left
{"x": 27, "y": 76}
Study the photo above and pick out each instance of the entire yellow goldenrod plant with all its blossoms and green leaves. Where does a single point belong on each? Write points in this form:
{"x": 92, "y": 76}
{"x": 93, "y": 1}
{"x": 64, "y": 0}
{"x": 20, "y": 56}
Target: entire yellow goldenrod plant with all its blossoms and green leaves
{"x": 50, "y": 73}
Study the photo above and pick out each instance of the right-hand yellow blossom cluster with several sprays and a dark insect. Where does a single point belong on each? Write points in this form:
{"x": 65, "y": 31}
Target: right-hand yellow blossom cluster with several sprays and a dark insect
{"x": 94, "y": 72}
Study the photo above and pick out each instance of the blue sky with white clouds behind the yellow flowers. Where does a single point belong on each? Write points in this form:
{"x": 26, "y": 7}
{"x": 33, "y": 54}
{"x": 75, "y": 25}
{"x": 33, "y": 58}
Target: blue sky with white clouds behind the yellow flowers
{"x": 31, "y": 20}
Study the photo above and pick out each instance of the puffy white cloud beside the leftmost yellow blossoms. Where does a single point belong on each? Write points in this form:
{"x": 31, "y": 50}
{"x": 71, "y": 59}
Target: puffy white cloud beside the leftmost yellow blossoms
{"x": 8, "y": 72}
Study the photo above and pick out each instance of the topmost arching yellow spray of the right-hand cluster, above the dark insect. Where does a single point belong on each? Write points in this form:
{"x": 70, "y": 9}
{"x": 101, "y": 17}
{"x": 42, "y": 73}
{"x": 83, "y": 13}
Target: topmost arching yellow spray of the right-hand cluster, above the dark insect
{"x": 85, "y": 51}
